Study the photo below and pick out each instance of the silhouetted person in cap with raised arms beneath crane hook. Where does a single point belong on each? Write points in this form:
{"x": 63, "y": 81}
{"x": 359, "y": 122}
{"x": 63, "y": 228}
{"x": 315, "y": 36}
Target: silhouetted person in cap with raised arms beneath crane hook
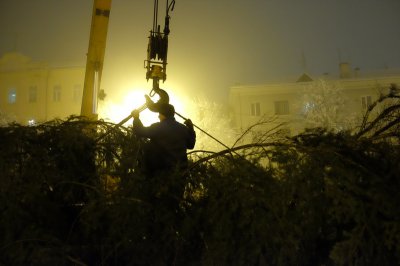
{"x": 168, "y": 143}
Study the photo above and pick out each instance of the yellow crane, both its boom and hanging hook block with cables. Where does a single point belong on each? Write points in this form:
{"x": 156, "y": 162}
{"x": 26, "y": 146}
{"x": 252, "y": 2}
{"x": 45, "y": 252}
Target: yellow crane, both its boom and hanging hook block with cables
{"x": 156, "y": 63}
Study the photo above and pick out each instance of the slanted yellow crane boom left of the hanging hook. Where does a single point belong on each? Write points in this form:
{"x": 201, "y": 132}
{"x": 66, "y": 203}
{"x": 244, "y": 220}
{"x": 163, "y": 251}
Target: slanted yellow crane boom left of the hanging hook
{"x": 95, "y": 57}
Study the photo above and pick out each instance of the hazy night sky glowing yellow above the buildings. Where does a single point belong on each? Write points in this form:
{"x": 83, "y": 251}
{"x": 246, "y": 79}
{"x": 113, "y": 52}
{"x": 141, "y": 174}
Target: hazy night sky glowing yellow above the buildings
{"x": 213, "y": 44}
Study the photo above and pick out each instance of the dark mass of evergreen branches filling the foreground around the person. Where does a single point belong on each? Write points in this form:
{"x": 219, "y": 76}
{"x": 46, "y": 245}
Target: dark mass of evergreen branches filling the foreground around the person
{"x": 73, "y": 196}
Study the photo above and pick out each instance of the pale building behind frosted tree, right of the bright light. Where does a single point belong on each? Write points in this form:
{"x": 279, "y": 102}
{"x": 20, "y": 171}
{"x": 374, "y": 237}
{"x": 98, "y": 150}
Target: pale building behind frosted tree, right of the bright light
{"x": 331, "y": 102}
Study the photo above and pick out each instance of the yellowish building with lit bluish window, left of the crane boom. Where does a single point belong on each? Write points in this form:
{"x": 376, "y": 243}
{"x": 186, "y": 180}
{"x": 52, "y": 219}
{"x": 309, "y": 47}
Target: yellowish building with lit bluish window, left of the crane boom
{"x": 32, "y": 92}
